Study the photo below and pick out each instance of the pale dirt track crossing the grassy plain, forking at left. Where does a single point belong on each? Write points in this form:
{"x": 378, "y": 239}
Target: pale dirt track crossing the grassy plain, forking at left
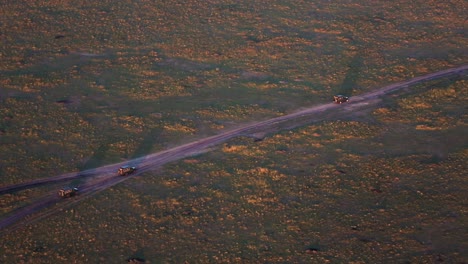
{"x": 104, "y": 177}
